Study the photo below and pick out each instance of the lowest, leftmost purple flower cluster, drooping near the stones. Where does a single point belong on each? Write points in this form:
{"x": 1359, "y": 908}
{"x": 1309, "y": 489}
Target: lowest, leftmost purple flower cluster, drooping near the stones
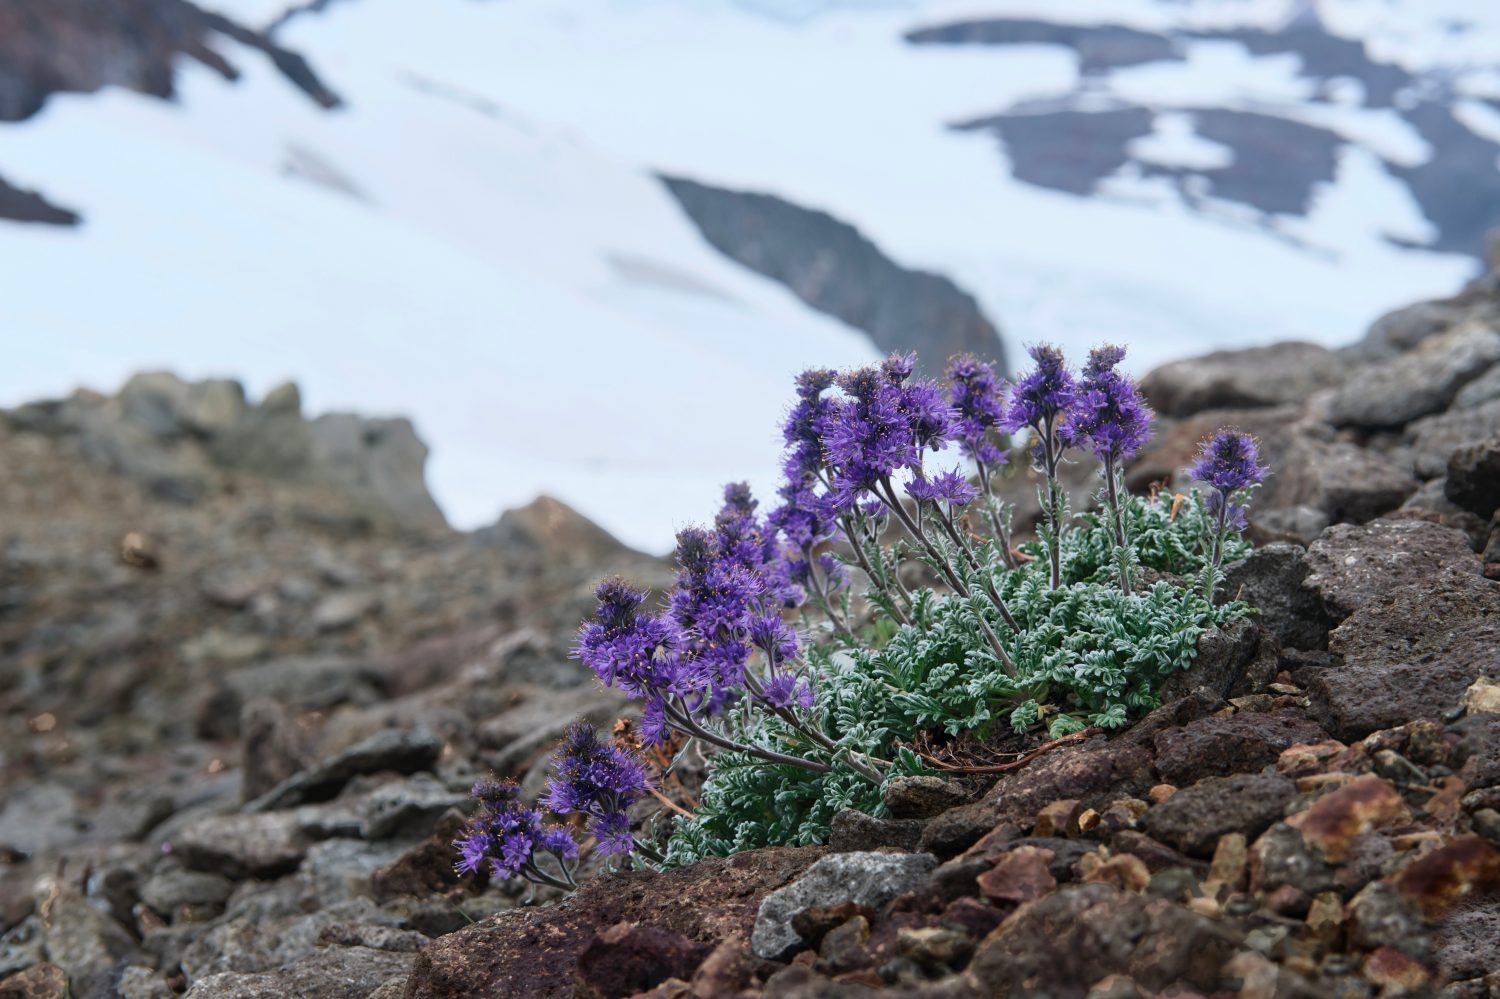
{"x": 509, "y": 839}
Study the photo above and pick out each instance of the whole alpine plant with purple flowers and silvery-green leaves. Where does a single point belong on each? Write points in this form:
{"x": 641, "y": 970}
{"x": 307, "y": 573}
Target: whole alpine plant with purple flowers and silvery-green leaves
{"x": 883, "y": 598}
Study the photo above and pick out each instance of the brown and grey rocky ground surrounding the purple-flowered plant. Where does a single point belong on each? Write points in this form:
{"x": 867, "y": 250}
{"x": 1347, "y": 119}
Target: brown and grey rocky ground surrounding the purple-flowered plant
{"x": 248, "y": 679}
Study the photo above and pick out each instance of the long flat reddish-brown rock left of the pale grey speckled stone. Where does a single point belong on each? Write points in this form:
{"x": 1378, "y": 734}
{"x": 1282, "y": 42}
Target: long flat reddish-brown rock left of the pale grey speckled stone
{"x": 716, "y": 899}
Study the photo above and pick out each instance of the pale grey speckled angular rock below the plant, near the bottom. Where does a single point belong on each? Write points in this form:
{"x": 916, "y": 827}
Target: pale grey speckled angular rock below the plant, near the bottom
{"x": 868, "y": 880}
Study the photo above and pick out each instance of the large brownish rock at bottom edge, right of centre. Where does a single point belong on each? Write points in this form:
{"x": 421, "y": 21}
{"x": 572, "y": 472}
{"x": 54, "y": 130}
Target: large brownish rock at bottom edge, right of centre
{"x": 1103, "y": 931}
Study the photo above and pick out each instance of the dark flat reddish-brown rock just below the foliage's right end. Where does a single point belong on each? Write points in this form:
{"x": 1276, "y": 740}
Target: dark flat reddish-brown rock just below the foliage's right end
{"x": 1229, "y": 745}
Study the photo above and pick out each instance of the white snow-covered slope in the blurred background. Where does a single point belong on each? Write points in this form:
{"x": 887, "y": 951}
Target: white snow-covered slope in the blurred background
{"x": 478, "y": 239}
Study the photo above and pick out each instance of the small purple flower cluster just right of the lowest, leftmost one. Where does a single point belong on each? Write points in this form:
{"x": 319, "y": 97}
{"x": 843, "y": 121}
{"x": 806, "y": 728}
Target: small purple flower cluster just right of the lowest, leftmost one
{"x": 599, "y": 781}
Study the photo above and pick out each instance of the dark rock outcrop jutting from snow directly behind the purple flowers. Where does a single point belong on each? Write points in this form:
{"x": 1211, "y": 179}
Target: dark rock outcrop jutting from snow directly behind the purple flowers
{"x": 836, "y": 269}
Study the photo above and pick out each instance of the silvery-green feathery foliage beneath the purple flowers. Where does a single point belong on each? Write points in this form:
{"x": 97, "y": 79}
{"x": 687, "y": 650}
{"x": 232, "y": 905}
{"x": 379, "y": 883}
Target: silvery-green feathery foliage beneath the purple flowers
{"x": 1085, "y": 655}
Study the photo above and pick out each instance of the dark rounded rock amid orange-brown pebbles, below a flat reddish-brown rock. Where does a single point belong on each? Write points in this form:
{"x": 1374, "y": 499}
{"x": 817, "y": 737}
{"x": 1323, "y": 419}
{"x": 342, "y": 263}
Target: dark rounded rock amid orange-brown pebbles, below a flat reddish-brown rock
{"x": 1196, "y": 818}
